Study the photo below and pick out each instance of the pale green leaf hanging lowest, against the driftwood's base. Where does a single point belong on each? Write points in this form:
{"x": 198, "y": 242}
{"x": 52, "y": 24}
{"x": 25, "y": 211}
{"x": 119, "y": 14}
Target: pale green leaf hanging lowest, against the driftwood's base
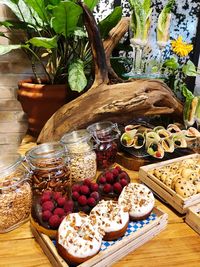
{"x": 76, "y": 78}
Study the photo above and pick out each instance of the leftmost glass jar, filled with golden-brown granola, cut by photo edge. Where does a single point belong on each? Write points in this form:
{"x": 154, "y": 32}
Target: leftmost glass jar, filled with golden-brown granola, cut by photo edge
{"x": 15, "y": 192}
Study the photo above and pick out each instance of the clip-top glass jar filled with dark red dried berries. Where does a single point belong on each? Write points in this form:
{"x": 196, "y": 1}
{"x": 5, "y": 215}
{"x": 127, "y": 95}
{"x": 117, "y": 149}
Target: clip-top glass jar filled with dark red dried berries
{"x": 106, "y": 136}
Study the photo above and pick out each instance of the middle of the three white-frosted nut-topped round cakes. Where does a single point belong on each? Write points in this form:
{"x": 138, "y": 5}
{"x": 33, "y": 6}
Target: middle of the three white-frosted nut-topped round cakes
{"x": 113, "y": 217}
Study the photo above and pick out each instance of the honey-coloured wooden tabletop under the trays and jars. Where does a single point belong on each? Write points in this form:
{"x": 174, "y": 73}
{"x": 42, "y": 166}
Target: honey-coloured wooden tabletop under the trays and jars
{"x": 177, "y": 245}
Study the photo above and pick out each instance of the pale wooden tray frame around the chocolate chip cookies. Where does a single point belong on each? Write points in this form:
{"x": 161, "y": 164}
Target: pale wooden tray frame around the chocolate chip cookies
{"x": 166, "y": 193}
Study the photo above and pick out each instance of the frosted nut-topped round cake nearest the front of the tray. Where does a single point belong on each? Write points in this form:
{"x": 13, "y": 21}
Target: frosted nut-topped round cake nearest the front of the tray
{"x": 79, "y": 238}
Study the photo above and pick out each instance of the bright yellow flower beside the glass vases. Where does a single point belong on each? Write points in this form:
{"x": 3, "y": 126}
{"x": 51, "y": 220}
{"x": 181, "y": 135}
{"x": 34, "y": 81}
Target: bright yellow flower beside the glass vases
{"x": 181, "y": 48}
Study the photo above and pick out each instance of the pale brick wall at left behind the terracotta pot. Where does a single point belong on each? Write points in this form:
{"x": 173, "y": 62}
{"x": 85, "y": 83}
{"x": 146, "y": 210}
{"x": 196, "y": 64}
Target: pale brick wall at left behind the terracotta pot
{"x": 13, "y": 123}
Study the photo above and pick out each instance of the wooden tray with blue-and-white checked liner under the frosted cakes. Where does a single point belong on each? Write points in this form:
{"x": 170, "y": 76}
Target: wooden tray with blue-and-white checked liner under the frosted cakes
{"x": 137, "y": 234}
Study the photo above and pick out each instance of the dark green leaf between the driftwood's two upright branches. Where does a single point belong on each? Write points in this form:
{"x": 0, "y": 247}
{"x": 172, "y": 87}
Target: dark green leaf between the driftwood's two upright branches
{"x": 110, "y": 21}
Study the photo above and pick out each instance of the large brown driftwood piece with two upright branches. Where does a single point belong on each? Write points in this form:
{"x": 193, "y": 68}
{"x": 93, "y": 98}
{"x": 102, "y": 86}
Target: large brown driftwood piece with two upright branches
{"x": 118, "y": 102}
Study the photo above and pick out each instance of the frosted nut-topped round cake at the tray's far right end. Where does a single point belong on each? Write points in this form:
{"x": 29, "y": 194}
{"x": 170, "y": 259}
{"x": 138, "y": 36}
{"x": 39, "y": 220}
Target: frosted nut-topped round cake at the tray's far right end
{"x": 138, "y": 200}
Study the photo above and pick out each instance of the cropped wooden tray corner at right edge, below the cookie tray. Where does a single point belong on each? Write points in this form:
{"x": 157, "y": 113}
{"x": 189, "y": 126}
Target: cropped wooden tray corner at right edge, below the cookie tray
{"x": 193, "y": 217}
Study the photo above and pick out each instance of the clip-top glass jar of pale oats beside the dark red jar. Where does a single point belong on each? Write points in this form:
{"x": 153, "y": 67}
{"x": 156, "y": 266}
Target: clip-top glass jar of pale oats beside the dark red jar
{"x": 79, "y": 146}
